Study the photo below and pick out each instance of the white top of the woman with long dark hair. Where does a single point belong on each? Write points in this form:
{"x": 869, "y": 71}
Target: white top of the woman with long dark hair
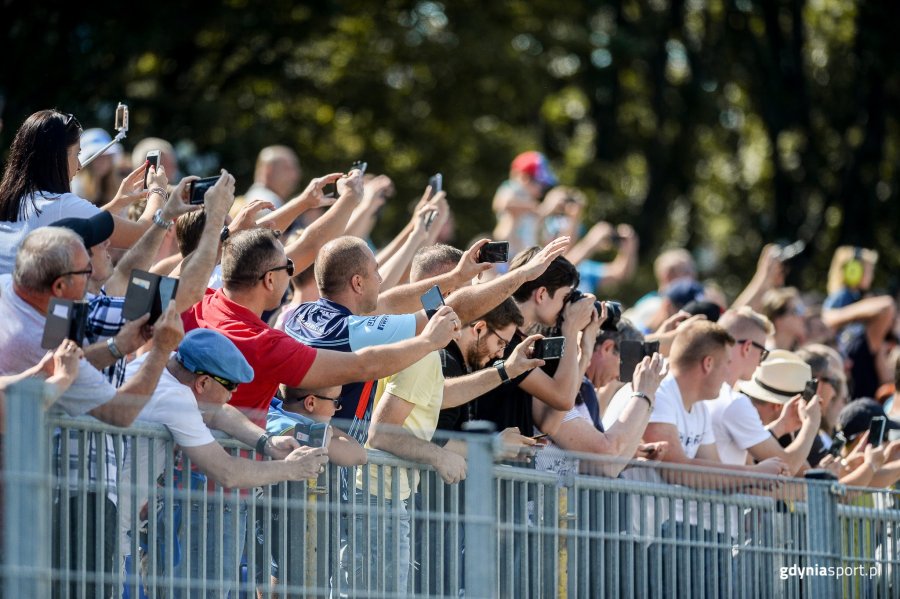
{"x": 52, "y": 207}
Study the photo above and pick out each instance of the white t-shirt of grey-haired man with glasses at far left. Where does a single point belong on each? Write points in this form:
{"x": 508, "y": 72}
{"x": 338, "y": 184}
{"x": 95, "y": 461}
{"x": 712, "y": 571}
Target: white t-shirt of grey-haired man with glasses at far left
{"x": 21, "y": 329}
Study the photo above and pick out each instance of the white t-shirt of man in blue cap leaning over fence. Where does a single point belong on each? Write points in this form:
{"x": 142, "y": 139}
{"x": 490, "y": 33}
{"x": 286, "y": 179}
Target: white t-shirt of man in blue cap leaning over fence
{"x": 174, "y": 406}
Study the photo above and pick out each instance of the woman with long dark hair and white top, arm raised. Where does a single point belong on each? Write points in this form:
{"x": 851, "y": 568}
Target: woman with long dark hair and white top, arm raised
{"x": 35, "y": 190}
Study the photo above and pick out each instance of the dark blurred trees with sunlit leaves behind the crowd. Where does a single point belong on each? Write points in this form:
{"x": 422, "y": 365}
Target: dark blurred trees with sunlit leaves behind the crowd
{"x": 718, "y": 125}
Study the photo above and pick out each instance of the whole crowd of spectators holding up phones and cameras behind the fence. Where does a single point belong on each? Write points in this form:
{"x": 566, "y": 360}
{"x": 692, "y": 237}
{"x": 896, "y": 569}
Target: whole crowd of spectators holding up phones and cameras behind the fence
{"x": 286, "y": 315}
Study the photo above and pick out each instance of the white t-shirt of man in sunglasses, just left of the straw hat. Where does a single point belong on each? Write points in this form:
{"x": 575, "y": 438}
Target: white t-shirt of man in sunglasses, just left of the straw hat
{"x": 736, "y": 425}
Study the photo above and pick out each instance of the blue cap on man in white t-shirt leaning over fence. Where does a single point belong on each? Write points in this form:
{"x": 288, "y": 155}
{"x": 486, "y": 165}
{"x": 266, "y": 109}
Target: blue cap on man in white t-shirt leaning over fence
{"x": 209, "y": 351}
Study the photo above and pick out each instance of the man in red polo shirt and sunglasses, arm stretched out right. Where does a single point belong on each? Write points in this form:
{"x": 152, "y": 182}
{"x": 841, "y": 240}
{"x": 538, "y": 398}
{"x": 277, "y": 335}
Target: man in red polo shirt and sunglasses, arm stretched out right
{"x": 256, "y": 273}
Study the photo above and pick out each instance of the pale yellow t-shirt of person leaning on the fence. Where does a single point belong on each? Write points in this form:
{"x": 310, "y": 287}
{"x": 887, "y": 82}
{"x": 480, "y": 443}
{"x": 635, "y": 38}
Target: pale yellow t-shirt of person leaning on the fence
{"x": 422, "y": 385}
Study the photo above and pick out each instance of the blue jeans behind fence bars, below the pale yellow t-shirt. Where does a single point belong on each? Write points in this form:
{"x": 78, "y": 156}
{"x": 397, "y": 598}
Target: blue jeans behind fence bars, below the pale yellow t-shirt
{"x": 380, "y": 545}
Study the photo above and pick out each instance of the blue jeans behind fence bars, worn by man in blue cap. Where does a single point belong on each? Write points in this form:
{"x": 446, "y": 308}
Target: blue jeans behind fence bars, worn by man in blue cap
{"x": 221, "y": 554}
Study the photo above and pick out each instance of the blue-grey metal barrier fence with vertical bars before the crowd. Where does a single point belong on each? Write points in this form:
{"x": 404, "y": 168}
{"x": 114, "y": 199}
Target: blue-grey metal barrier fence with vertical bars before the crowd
{"x": 75, "y": 529}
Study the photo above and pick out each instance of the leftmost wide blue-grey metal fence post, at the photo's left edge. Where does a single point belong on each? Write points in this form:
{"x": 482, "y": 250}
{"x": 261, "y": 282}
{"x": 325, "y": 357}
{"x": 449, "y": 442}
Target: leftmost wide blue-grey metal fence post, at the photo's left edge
{"x": 27, "y": 492}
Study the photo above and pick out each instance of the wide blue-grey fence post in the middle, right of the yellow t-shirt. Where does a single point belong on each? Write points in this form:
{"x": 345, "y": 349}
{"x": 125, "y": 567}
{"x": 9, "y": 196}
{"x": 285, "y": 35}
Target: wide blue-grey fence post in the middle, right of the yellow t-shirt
{"x": 480, "y": 534}
